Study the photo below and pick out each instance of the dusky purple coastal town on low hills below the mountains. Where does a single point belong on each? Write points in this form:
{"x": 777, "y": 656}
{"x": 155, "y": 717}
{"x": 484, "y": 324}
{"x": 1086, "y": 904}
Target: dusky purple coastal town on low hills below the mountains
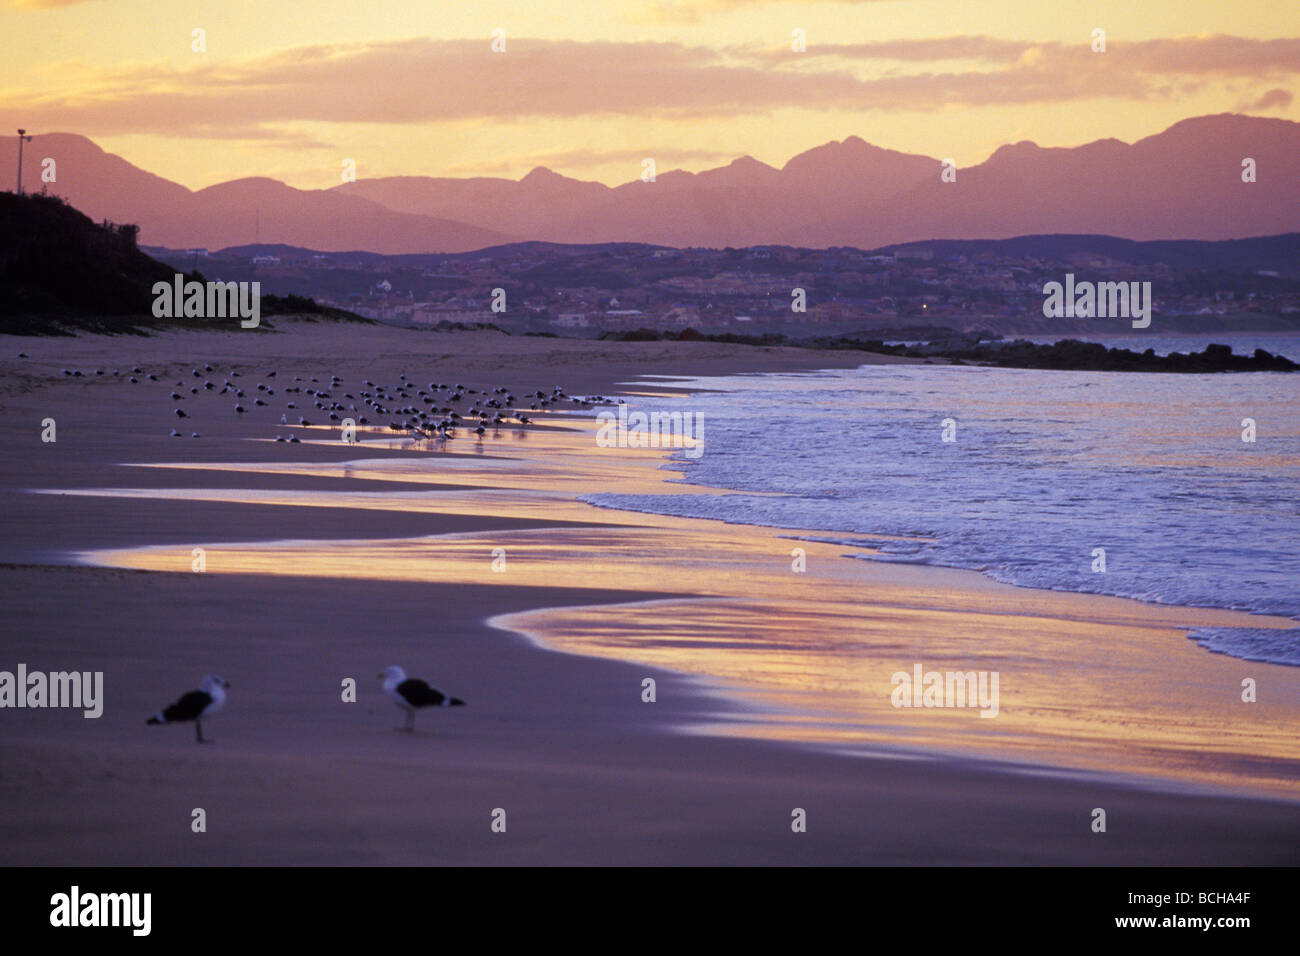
{"x": 591, "y": 291}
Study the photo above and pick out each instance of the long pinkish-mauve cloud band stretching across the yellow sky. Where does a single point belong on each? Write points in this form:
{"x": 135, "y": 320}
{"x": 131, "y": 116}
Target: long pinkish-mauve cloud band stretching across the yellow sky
{"x": 424, "y": 81}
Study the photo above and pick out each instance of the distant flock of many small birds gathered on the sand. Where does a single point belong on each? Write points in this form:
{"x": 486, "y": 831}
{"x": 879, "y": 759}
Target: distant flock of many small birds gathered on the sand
{"x": 427, "y": 413}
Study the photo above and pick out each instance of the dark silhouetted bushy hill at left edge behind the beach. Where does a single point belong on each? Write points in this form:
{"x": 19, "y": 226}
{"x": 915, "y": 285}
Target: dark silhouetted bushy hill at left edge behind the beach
{"x": 60, "y": 271}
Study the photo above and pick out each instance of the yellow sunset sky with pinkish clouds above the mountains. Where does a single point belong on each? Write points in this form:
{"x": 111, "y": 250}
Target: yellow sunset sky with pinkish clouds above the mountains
{"x": 293, "y": 89}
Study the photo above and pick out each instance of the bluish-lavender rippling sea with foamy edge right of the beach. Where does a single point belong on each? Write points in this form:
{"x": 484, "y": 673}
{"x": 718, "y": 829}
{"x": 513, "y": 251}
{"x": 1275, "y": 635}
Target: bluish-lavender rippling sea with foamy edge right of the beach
{"x": 1178, "y": 490}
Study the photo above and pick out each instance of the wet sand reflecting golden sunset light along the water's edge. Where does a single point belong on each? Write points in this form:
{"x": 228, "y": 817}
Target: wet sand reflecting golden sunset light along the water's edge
{"x": 1085, "y": 682}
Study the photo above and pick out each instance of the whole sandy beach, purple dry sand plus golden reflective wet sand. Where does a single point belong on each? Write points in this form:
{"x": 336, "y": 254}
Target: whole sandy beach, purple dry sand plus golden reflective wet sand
{"x": 327, "y": 561}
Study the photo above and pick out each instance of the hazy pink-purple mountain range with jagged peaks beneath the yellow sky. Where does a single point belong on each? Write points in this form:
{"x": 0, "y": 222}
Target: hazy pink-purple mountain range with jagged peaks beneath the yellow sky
{"x": 1185, "y": 183}
